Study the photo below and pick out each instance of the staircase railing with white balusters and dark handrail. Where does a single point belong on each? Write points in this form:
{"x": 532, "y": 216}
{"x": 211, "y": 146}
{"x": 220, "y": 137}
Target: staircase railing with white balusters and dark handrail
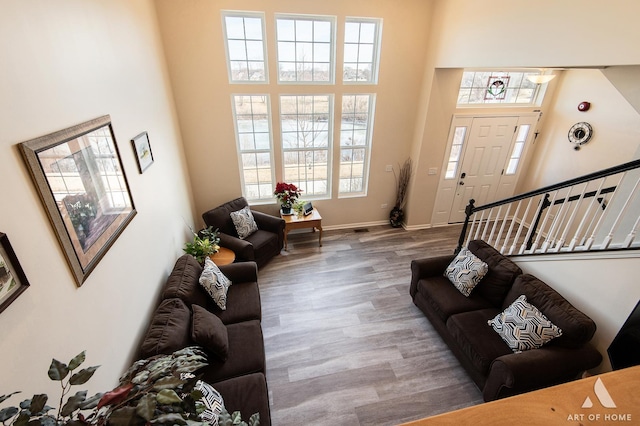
{"x": 598, "y": 211}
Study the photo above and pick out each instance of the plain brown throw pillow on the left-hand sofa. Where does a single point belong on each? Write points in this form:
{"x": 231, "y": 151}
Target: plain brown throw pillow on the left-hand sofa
{"x": 208, "y": 331}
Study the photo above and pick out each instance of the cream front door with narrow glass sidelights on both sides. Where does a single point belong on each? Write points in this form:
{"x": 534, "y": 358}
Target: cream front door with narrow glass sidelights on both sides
{"x": 482, "y": 162}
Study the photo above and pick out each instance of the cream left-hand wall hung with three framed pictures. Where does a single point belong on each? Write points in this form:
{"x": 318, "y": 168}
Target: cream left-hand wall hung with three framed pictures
{"x": 63, "y": 63}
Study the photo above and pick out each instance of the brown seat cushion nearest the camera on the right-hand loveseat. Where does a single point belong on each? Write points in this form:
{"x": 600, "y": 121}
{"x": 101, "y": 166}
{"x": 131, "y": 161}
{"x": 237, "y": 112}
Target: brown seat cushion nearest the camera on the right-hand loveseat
{"x": 480, "y": 344}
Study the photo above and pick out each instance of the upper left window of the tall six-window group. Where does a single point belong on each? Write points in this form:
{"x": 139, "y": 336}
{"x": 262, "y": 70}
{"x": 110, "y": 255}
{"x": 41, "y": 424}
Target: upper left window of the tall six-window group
{"x": 246, "y": 56}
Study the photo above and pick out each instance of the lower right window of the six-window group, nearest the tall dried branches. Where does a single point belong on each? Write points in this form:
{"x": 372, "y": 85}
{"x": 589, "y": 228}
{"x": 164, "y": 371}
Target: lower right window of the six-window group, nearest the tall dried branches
{"x": 355, "y": 143}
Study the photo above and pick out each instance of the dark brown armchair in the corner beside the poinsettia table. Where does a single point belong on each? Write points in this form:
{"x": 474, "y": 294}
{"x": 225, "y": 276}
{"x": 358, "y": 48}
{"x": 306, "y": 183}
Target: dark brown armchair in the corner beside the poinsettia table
{"x": 260, "y": 245}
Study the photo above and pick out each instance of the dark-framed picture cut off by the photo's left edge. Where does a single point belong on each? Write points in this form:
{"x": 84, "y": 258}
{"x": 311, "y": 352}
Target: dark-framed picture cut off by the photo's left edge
{"x": 13, "y": 281}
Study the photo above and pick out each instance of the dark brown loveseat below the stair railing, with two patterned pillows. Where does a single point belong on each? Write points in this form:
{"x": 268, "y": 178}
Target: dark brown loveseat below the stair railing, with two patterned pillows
{"x": 463, "y": 323}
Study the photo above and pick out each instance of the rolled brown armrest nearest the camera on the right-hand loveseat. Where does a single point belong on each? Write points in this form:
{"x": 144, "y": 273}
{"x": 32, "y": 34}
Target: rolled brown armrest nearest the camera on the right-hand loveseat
{"x": 537, "y": 368}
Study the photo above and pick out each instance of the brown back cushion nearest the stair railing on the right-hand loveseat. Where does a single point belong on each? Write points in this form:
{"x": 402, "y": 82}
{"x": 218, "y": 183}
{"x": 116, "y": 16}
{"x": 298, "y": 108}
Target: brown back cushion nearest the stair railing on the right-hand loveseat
{"x": 499, "y": 279}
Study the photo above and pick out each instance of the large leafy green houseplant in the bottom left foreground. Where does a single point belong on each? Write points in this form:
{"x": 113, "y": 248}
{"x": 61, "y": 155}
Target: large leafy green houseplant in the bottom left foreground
{"x": 158, "y": 390}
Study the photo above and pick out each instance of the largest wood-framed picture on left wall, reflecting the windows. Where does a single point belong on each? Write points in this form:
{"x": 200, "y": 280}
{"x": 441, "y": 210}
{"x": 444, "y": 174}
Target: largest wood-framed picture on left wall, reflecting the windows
{"x": 79, "y": 176}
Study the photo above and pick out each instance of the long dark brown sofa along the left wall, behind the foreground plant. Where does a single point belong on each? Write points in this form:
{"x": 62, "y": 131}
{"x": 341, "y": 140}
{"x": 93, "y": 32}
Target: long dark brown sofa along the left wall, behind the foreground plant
{"x": 232, "y": 338}
